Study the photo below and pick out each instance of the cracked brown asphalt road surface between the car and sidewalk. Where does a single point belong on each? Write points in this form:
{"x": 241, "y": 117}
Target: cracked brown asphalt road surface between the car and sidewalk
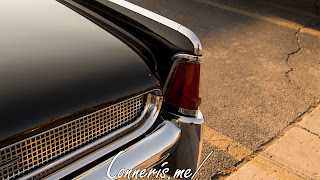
{"x": 260, "y": 71}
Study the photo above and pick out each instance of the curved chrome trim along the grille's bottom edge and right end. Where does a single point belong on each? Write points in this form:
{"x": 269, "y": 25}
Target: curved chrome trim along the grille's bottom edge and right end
{"x": 149, "y": 115}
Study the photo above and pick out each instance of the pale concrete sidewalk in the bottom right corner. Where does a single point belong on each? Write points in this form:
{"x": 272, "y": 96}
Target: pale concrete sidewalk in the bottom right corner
{"x": 296, "y": 155}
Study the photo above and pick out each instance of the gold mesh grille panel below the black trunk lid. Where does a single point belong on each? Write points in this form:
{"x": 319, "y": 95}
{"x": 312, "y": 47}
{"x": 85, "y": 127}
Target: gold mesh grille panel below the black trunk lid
{"x": 35, "y": 151}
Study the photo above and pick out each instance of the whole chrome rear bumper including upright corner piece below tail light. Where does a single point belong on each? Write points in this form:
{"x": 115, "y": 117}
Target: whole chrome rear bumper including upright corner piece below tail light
{"x": 177, "y": 140}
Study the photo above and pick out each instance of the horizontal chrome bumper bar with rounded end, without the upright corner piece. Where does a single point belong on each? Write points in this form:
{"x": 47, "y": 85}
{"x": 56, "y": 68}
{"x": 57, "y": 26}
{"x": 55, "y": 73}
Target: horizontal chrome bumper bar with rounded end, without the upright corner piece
{"x": 142, "y": 154}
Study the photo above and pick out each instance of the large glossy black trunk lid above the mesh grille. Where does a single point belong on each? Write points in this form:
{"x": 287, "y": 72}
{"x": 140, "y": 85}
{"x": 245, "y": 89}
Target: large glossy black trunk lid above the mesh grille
{"x": 54, "y": 62}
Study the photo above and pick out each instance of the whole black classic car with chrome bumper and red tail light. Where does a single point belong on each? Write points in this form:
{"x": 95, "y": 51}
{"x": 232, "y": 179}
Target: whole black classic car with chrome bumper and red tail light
{"x": 85, "y": 82}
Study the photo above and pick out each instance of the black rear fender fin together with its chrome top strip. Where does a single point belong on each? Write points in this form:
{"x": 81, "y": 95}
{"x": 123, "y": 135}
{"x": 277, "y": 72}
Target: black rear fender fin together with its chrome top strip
{"x": 163, "y": 37}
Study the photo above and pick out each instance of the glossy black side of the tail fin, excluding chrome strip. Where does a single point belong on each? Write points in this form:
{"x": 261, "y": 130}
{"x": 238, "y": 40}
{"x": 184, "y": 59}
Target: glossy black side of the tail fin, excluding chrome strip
{"x": 163, "y": 41}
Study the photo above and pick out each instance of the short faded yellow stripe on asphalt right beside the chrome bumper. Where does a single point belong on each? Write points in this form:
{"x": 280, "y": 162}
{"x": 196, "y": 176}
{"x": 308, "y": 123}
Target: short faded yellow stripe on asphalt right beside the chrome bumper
{"x": 226, "y": 144}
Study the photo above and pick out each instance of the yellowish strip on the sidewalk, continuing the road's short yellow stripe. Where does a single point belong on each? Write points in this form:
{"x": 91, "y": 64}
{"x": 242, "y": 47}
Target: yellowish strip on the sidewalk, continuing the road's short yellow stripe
{"x": 274, "y": 168}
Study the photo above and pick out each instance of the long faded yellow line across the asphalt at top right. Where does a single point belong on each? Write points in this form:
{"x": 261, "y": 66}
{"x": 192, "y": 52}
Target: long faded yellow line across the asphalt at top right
{"x": 272, "y": 20}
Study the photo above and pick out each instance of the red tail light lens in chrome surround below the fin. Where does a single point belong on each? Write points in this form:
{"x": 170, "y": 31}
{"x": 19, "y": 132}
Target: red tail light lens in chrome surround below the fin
{"x": 183, "y": 91}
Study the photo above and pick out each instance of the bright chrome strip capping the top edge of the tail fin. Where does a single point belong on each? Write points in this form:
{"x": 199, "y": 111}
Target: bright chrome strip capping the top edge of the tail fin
{"x": 163, "y": 20}
